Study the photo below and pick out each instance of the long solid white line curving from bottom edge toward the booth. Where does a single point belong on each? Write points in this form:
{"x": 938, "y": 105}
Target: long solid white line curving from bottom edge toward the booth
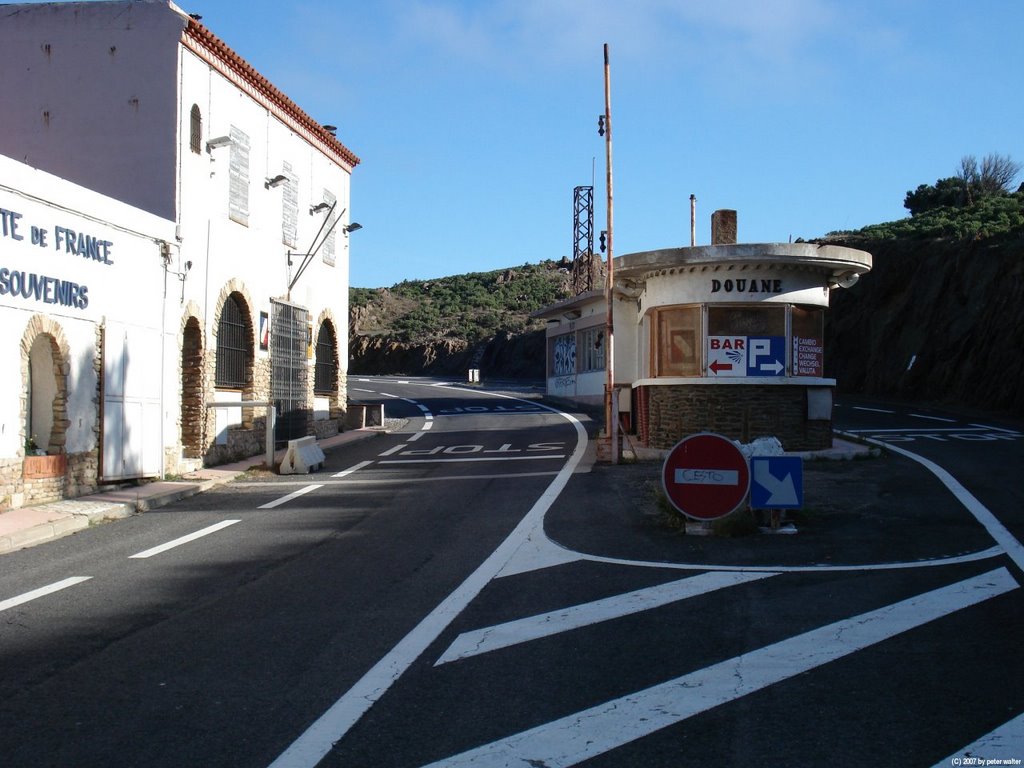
{"x": 318, "y": 741}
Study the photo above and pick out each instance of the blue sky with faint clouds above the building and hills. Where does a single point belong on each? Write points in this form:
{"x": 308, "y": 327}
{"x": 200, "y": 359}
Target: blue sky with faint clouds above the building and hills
{"x": 476, "y": 120}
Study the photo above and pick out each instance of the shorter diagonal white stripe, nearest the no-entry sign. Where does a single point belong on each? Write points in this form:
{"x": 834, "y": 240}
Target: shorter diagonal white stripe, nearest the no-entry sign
{"x": 553, "y": 623}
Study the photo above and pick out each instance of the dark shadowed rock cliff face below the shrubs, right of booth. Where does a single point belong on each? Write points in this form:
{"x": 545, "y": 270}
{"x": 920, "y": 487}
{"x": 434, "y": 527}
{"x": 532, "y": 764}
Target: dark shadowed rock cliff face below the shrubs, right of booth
{"x": 935, "y": 320}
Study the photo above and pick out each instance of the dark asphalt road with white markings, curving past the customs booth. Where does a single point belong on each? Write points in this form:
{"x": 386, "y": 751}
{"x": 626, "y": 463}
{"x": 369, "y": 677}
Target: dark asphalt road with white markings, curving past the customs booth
{"x": 470, "y": 591}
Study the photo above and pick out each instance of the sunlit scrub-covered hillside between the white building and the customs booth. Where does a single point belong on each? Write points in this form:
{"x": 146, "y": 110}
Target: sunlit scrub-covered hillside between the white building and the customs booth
{"x": 445, "y": 327}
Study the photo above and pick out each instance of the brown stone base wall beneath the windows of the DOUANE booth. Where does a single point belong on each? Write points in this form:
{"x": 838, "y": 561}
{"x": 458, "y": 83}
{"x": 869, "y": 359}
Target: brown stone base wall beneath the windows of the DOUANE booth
{"x": 743, "y": 412}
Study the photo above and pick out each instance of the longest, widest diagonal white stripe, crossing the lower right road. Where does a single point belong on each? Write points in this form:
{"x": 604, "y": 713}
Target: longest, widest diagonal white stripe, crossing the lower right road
{"x": 595, "y": 732}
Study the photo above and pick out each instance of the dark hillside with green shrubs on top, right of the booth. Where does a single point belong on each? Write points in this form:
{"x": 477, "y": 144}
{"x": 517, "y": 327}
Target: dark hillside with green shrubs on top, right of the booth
{"x": 941, "y": 317}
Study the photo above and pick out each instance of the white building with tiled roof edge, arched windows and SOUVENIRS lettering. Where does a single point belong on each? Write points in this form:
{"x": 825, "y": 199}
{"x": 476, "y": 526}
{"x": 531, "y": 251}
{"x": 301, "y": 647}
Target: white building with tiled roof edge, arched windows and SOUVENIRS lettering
{"x": 209, "y": 189}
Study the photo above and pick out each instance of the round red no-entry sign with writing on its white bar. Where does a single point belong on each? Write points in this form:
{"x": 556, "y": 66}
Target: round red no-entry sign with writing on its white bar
{"x": 706, "y": 477}
